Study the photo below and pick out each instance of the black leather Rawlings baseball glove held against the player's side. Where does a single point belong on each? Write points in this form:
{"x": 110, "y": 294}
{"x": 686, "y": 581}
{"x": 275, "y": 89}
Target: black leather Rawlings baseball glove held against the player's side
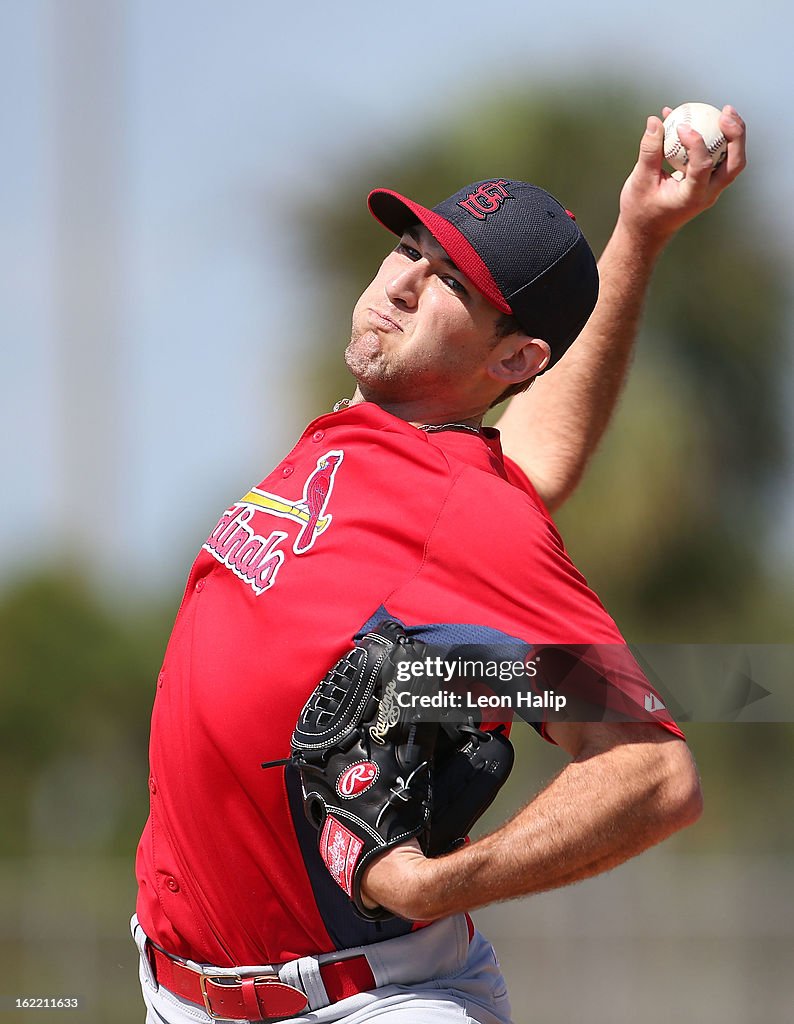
{"x": 377, "y": 770}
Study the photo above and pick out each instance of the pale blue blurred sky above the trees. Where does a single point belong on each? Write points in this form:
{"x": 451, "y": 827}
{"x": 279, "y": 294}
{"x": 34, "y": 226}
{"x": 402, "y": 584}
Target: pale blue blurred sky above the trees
{"x": 215, "y": 112}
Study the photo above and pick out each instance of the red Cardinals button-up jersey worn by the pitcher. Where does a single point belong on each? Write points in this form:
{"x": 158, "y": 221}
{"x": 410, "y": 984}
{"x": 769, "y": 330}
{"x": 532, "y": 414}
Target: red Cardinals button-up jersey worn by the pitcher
{"x": 367, "y": 519}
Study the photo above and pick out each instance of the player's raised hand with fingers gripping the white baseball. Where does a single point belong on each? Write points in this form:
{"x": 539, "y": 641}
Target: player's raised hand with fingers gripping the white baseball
{"x": 655, "y": 204}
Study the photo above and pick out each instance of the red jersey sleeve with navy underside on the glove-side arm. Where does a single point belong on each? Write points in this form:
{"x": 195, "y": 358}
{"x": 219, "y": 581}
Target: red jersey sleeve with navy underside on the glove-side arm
{"x": 496, "y": 568}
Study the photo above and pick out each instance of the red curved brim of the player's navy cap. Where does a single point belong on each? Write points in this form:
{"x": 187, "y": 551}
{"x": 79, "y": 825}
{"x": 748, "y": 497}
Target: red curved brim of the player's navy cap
{"x": 396, "y": 214}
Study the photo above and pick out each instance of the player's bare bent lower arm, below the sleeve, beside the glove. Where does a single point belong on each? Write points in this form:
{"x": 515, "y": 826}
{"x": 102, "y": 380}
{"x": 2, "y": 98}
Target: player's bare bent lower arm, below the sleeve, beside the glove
{"x": 629, "y": 787}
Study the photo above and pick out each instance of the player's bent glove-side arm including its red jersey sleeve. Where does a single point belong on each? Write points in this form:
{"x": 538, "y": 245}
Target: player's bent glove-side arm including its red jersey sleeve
{"x": 630, "y": 784}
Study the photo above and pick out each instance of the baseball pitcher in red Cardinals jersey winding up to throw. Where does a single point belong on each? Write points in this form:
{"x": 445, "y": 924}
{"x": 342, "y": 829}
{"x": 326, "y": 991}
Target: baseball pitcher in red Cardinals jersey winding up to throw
{"x": 400, "y": 508}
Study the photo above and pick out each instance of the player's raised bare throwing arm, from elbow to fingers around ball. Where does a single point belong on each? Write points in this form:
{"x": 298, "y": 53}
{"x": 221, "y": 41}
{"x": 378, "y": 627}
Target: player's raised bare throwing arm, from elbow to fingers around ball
{"x": 553, "y": 430}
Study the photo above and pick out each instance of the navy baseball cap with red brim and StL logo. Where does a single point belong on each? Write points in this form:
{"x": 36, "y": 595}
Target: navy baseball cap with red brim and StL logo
{"x": 515, "y": 242}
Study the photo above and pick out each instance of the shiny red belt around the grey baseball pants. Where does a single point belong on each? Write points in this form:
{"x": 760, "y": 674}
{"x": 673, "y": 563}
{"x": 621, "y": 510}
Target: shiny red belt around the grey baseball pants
{"x": 261, "y": 998}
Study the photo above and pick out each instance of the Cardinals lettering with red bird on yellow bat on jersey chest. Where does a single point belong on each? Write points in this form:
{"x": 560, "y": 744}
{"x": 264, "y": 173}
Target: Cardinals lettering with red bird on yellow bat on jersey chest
{"x": 257, "y": 560}
